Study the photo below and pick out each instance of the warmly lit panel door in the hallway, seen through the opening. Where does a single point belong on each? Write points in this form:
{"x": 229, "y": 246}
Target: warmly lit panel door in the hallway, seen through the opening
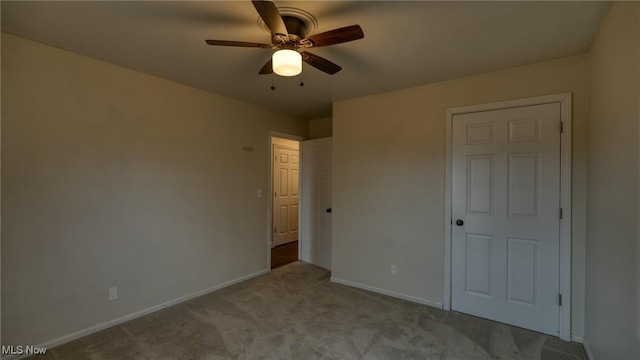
{"x": 286, "y": 164}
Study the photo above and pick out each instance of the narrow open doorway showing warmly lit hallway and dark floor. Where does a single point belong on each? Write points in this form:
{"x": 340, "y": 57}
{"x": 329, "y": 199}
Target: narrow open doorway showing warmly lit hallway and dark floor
{"x": 285, "y": 196}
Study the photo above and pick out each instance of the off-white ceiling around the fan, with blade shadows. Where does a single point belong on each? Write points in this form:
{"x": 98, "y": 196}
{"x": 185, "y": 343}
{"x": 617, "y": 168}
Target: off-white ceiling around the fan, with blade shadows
{"x": 407, "y": 43}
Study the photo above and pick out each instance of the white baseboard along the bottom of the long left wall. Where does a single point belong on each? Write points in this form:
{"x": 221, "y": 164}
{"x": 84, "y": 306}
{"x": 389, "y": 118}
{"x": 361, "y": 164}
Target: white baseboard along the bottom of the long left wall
{"x": 93, "y": 329}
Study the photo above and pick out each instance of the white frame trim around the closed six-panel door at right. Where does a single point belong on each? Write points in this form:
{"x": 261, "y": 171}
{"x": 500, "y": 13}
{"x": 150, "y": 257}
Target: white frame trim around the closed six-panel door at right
{"x": 565, "y": 196}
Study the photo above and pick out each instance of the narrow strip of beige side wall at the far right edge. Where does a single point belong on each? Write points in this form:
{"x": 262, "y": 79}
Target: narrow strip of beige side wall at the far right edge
{"x": 613, "y": 217}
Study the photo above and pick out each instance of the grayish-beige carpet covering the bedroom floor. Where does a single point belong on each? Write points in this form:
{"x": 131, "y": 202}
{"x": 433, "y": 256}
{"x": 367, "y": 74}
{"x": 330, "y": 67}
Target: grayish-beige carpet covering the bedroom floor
{"x": 294, "y": 312}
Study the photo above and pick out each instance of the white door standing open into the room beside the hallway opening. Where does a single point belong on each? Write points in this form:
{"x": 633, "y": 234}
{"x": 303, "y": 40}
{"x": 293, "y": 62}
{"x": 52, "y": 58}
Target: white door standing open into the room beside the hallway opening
{"x": 315, "y": 239}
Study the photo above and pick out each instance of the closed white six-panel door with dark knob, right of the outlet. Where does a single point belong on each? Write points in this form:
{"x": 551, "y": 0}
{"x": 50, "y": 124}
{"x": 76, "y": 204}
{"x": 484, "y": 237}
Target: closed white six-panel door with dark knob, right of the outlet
{"x": 506, "y": 215}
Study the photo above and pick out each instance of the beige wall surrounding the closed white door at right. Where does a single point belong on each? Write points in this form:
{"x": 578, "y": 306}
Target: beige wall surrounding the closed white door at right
{"x": 388, "y": 185}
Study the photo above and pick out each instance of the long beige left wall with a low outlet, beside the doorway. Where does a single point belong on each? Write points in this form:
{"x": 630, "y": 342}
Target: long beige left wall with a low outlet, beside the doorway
{"x": 111, "y": 177}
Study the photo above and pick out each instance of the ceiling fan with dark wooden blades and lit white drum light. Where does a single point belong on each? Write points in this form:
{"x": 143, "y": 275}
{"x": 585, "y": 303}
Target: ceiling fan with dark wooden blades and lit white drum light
{"x": 288, "y": 37}
